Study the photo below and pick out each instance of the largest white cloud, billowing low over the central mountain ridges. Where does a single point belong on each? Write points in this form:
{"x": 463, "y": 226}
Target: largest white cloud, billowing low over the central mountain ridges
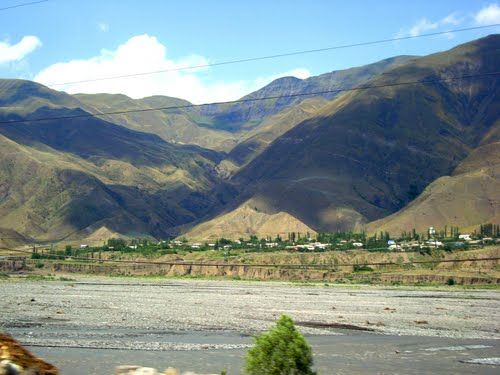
{"x": 144, "y": 53}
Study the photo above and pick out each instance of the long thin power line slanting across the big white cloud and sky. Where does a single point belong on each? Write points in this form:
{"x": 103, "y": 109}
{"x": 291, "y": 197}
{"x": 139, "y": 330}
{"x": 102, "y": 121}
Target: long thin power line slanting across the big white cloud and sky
{"x": 268, "y": 57}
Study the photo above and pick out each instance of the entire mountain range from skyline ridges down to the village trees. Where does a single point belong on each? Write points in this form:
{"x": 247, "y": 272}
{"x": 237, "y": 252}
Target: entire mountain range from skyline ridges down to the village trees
{"x": 395, "y": 145}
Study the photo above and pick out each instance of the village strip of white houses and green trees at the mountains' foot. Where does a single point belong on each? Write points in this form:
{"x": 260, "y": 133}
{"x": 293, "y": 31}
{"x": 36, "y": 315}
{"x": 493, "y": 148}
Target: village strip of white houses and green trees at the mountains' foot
{"x": 448, "y": 240}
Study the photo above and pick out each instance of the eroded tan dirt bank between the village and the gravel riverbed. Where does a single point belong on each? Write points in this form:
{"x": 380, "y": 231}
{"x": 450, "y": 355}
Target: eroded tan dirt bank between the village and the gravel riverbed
{"x": 404, "y": 268}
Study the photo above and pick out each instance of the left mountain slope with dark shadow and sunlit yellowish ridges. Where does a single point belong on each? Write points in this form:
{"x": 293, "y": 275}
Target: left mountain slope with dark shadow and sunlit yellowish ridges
{"x": 59, "y": 177}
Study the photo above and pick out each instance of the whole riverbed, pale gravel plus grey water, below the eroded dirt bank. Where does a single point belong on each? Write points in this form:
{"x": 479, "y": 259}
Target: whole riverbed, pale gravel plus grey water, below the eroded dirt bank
{"x": 215, "y": 318}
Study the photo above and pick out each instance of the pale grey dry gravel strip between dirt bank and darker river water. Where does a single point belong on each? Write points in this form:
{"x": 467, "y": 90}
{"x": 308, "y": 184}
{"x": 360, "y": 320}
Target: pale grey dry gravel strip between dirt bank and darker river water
{"x": 248, "y": 307}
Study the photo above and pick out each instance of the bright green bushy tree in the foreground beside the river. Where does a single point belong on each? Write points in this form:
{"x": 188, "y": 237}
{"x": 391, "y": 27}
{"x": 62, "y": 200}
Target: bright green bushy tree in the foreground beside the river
{"x": 281, "y": 351}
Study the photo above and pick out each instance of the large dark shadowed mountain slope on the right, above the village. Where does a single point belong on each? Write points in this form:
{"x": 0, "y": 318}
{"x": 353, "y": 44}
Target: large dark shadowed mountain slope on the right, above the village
{"x": 369, "y": 152}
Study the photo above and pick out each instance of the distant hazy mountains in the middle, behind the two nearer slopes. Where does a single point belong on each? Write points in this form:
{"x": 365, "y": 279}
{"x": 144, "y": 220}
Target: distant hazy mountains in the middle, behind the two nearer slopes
{"x": 222, "y": 127}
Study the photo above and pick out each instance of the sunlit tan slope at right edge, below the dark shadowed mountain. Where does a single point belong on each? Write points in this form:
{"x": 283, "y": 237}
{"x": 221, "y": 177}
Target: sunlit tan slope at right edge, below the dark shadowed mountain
{"x": 466, "y": 199}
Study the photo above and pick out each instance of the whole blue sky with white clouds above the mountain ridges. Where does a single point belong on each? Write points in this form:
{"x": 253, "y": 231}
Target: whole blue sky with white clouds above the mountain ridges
{"x": 70, "y": 40}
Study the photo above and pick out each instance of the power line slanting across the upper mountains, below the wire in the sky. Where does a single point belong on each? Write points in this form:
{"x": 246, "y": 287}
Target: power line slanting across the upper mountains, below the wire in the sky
{"x": 248, "y": 100}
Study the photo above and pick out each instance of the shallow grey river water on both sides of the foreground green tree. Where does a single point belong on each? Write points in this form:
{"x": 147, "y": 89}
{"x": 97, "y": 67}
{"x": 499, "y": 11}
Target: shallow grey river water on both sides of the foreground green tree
{"x": 348, "y": 353}
